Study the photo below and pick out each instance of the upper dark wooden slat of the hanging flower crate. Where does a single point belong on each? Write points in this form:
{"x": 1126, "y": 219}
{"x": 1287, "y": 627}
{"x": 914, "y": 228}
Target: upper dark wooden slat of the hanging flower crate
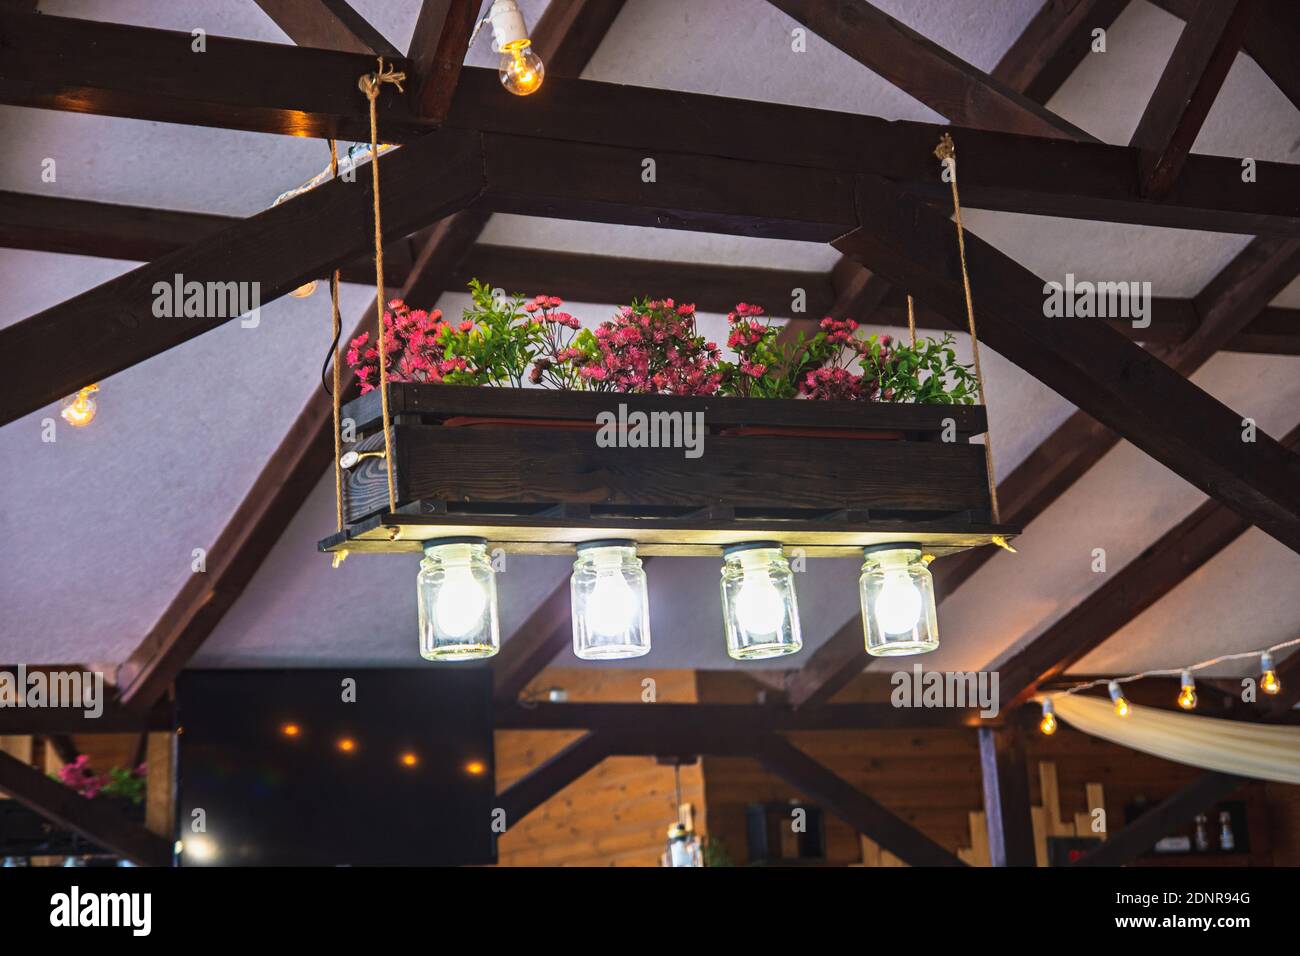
{"x": 436, "y": 403}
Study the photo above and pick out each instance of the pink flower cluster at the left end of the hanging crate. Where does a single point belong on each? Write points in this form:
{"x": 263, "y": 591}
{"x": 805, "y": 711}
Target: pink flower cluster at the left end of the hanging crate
{"x": 415, "y": 341}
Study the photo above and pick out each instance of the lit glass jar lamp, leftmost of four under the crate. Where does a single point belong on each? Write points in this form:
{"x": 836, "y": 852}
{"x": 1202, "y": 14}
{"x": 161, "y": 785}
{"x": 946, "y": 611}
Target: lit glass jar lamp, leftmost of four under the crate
{"x": 458, "y": 602}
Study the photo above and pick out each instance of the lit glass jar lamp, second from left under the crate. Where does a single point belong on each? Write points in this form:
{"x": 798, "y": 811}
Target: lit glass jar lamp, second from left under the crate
{"x": 612, "y": 611}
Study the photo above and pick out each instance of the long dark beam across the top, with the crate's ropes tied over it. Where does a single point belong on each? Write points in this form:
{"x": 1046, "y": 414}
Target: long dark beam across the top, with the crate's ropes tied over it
{"x": 63, "y": 64}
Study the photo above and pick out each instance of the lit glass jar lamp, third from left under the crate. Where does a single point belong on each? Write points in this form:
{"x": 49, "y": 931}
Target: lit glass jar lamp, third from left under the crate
{"x": 760, "y": 609}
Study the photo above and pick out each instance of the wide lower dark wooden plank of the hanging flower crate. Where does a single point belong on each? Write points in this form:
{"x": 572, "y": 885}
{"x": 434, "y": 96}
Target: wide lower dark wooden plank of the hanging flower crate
{"x": 522, "y": 465}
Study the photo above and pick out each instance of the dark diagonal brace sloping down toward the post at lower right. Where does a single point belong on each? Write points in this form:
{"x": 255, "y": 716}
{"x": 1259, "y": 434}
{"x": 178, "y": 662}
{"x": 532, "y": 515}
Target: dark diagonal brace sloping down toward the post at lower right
{"x": 869, "y": 817}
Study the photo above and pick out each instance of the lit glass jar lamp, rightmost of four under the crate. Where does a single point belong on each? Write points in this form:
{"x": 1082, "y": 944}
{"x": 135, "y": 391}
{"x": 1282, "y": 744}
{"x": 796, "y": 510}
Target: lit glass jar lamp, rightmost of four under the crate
{"x": 898, "y": 602}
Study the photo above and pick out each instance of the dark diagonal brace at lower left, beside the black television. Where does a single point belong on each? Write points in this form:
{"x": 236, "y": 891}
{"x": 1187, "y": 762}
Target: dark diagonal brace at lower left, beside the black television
{"x": 96, "y": 820}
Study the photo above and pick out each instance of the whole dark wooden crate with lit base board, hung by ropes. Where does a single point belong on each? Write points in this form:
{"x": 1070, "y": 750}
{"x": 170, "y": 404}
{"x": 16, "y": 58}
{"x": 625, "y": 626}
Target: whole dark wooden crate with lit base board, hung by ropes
{"x": 523, "y": 468}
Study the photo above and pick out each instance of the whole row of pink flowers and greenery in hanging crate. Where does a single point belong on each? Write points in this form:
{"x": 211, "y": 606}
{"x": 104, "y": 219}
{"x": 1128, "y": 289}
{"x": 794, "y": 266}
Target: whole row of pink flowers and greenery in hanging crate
{"x": 653, "y": 347}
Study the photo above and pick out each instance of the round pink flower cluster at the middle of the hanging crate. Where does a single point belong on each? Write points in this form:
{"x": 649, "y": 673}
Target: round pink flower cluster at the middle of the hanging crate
{"x": 653, "y": 348}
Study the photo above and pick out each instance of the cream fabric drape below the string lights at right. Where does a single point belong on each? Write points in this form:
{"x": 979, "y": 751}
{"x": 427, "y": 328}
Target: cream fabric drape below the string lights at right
{"x": 1263, "y": 751}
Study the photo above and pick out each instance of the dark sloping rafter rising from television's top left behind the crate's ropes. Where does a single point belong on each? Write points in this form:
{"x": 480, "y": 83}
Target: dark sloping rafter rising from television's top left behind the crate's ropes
{"x": 293, "y": 471}
